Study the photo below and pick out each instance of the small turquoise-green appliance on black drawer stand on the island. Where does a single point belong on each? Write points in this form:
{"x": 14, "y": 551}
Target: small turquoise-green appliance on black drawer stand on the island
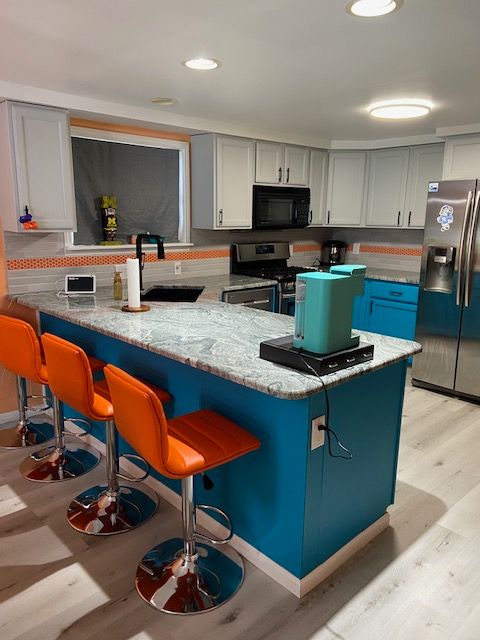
{"x": 324, "y": 308}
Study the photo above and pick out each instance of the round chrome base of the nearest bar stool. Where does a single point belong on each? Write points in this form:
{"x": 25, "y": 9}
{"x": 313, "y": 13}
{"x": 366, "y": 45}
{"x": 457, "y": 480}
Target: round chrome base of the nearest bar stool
{"x": 169, "y": 580}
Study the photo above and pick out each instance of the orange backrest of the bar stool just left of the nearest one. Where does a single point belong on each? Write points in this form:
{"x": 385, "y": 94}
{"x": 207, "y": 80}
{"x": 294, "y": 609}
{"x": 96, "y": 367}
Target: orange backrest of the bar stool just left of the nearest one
{"x": 69, "y": 373}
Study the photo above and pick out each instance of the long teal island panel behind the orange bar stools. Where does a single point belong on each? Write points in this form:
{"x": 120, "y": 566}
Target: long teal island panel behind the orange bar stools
{"x": 263, "y": 492}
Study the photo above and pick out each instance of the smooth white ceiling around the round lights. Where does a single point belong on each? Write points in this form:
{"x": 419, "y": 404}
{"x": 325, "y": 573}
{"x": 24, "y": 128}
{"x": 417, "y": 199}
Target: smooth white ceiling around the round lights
{"x": 302, "y": 67}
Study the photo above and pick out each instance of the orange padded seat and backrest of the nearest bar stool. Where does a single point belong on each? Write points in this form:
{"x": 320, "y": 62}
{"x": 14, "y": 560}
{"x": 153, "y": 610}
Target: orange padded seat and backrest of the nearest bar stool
{"x": 181, "y": 447}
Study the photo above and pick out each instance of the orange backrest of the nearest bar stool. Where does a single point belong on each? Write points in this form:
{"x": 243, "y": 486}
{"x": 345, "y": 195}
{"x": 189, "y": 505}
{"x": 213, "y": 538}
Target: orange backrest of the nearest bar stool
{"x": 139, "y": 417}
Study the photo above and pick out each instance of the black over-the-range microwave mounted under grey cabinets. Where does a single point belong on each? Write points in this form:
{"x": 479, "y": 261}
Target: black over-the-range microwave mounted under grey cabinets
{"x": 280, "y": 207}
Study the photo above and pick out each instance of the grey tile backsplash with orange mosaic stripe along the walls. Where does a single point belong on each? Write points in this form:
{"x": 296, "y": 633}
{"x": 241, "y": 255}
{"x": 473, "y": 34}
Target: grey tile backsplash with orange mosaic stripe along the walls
{"x": 39, "y": 262}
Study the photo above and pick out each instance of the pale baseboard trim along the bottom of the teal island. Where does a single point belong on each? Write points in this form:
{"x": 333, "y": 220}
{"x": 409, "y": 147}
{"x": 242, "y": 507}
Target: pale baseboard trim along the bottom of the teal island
{"x": 299, "y": 587}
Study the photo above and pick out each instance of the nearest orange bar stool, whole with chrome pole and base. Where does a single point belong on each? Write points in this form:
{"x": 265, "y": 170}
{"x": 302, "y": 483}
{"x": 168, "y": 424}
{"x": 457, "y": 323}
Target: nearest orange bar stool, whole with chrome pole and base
{"x": 181, "y": 575}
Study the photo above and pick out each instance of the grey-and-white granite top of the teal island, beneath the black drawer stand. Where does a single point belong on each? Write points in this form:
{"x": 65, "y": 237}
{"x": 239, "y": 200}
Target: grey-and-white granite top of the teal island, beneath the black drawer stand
{"x": 220, "y": 338}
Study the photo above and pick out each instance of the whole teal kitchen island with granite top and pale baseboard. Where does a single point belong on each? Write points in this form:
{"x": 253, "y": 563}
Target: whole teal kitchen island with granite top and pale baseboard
{"x": 298, "y": 510}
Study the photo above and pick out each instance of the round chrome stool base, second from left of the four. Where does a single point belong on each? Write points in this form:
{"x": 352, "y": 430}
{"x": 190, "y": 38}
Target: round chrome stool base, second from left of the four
{"x": 53, "y": 465}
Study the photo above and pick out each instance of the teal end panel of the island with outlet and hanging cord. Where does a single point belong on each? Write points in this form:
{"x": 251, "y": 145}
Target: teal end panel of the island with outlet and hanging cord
{"x": 344, "y": 497}
